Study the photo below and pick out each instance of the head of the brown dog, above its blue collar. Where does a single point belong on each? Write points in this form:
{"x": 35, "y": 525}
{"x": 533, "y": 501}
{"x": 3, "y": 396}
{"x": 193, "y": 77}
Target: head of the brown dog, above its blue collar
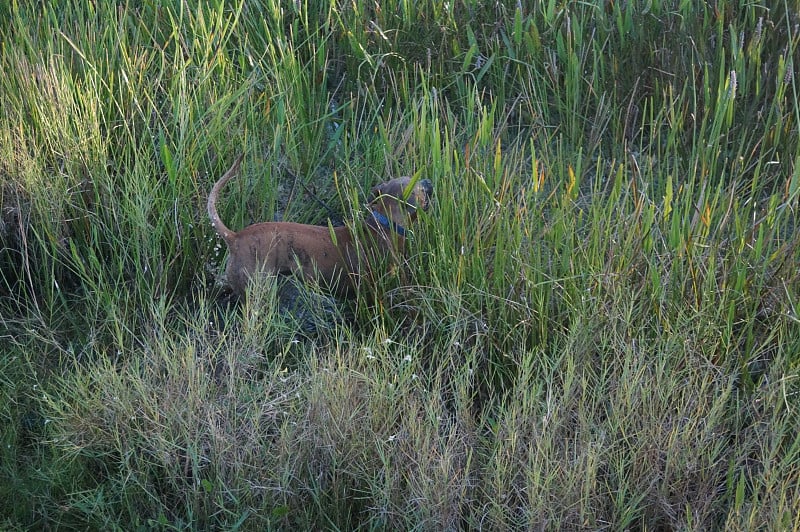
{"x": 394, "y": 203}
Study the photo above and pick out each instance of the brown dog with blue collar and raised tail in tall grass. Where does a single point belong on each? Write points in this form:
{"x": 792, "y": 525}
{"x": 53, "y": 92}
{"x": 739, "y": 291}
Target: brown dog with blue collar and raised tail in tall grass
{"x": 331, "y": 256}
